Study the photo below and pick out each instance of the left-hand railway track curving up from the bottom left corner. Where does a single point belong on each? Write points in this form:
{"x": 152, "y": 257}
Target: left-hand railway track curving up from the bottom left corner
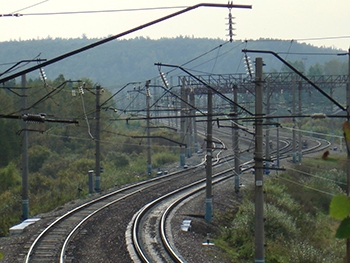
{"x": 51, "y": 244}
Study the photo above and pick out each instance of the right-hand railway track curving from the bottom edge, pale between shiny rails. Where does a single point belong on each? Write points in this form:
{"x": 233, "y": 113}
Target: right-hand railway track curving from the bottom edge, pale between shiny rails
{"x": 150, "y": 241}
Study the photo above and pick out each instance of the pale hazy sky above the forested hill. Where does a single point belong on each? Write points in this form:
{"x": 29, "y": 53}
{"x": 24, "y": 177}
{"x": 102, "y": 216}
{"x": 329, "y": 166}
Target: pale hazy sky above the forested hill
{"x": 320, "y": 23}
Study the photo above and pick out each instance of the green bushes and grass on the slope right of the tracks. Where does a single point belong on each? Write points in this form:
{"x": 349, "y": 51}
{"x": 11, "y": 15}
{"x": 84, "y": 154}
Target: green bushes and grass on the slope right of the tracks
{"x": 298, "y": 227}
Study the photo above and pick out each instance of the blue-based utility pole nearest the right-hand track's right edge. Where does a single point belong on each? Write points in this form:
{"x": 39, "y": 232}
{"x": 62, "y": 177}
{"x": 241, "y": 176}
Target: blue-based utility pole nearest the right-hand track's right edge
{"x": 209, "y": 168}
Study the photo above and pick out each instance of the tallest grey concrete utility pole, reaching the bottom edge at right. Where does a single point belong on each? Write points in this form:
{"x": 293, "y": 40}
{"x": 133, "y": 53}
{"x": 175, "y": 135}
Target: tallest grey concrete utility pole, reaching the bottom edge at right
{"x": 259, "y": 177}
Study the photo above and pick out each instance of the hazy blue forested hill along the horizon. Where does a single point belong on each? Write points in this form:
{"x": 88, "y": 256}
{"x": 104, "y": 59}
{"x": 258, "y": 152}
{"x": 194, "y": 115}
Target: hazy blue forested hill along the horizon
{"x": 121, "y": 61}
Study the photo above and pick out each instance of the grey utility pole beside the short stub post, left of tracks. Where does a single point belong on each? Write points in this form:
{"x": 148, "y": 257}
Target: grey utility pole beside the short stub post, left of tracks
{"x": 97, "y": 141}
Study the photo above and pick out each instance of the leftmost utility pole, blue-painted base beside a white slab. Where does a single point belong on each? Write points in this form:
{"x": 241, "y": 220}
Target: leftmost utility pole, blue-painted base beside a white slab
{"x": 25, "y": 171}
